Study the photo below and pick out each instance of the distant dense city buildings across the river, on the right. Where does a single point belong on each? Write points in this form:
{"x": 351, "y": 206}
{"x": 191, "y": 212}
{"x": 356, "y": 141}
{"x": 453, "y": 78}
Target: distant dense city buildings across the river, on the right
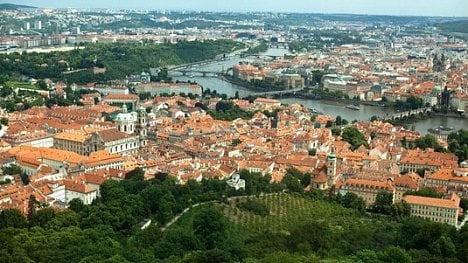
{"x": 429, "y": 66}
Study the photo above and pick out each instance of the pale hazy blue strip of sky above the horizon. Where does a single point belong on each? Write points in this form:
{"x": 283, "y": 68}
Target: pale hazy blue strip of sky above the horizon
{"x": 387, "y": 7}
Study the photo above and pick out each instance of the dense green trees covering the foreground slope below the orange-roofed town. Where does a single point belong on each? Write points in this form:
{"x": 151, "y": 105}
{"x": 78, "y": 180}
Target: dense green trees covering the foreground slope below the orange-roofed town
{"x": 108, "y": 230}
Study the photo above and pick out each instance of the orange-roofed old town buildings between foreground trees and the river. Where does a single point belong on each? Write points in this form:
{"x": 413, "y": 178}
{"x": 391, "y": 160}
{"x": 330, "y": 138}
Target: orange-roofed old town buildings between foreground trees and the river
{"x": 72, "y": 150}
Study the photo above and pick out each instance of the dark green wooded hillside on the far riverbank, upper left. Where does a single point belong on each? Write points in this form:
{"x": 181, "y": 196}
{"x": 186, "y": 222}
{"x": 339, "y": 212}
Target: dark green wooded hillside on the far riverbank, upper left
{"x": 119, "y": 59}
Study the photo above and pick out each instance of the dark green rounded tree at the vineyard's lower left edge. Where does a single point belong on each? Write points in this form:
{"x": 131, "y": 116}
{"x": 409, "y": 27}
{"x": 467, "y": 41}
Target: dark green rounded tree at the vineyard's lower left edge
{"x": 210, "y": 227}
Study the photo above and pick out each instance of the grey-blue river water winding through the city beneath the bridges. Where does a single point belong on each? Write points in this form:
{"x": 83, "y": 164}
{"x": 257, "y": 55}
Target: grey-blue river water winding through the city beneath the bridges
{"x": 327, "y": 107}
